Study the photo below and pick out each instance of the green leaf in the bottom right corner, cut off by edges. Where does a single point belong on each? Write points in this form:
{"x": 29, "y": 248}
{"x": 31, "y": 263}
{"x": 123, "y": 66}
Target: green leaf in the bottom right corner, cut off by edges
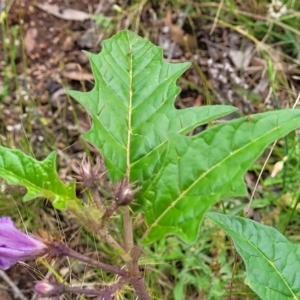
{"x": 272, "y": 261}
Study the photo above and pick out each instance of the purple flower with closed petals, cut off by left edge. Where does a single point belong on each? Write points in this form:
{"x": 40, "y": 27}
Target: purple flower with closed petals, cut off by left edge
{"x": 16, "y": 245}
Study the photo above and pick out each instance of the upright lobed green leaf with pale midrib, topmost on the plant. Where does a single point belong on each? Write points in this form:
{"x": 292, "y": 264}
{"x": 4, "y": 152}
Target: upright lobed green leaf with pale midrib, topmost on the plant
{"x": 132, "y": 106}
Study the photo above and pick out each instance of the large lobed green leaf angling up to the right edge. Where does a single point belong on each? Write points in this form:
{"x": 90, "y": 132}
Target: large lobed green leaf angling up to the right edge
{"x": 200, "y": 170}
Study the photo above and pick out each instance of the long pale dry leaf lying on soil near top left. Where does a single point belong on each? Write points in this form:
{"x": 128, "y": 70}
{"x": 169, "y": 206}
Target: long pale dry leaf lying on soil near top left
{"x": 64, "y": 13}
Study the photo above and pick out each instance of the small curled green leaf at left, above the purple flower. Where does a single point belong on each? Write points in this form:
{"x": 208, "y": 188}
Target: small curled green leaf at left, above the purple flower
{"x": 39, "y": 177}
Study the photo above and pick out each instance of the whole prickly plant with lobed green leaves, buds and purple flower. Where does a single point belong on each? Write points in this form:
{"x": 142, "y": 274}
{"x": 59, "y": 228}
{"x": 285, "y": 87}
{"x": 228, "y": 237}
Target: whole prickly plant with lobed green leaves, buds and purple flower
{"x": 172, "y": 178}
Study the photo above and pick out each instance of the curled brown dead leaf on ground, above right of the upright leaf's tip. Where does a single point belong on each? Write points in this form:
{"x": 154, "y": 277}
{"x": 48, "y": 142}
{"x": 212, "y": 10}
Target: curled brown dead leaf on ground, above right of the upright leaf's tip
{"x": 178, "y": 35}
